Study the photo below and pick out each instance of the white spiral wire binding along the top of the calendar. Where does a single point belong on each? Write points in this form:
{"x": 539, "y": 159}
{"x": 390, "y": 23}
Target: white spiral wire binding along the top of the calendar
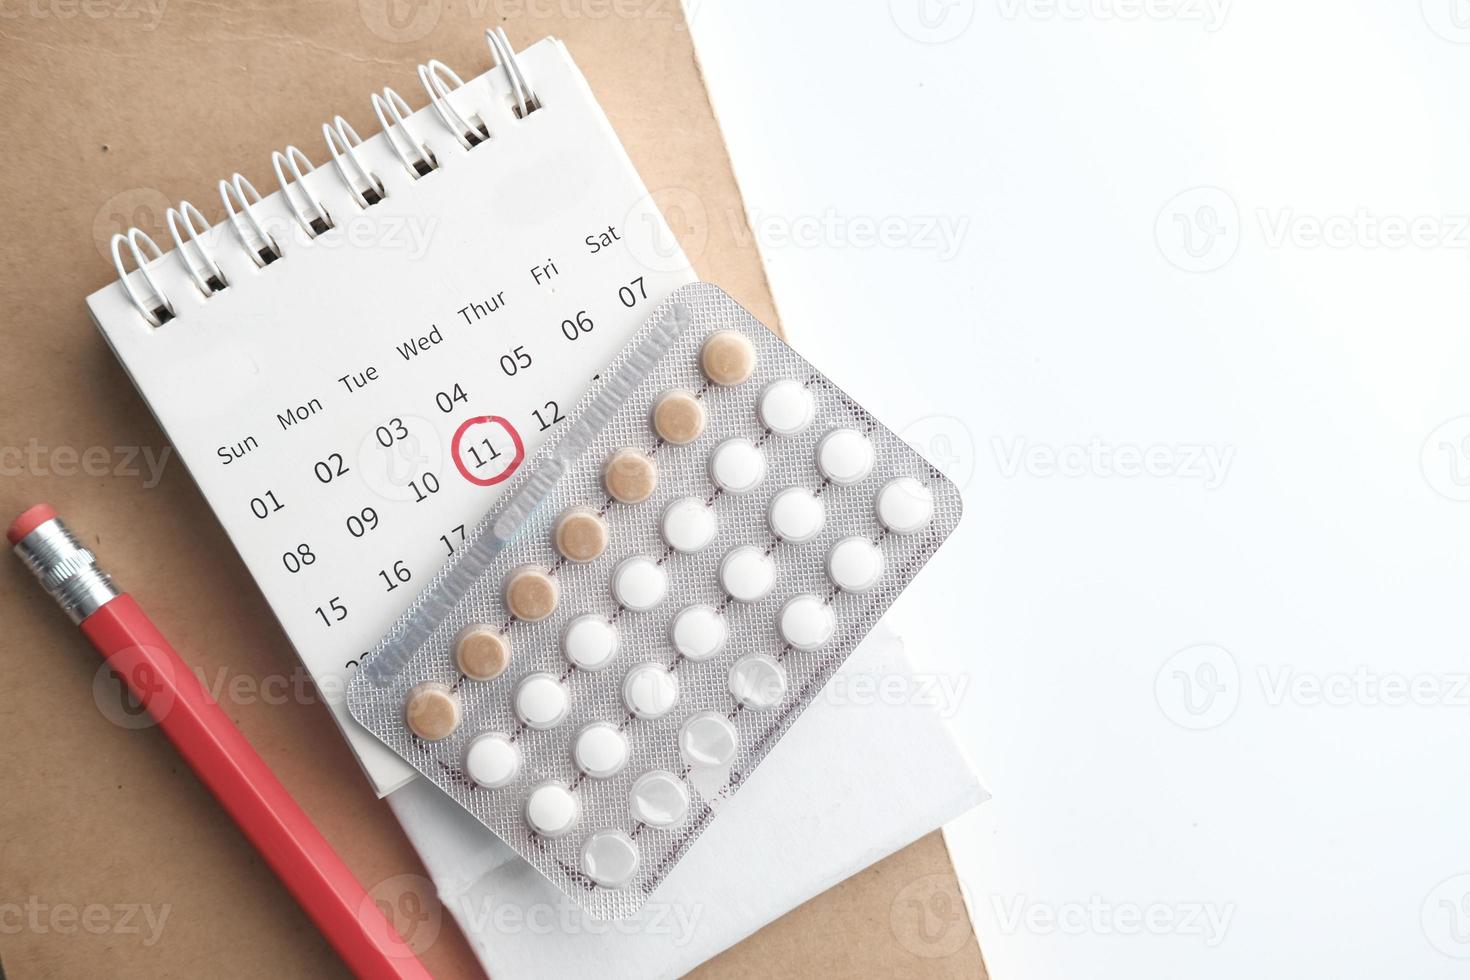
{"x": 293, "y": 167}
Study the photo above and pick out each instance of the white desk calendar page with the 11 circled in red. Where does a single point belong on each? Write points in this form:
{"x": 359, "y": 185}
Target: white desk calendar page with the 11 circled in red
{"x": 354, "y": 406}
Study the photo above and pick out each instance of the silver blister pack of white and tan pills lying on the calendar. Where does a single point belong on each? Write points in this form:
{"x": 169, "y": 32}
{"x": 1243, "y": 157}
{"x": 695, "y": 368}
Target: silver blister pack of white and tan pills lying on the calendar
{"x": 659, "y": 596}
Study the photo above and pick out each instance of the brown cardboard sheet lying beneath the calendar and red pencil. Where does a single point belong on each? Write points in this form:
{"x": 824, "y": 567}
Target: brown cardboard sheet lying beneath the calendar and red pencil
{"x": 115, "y": 860}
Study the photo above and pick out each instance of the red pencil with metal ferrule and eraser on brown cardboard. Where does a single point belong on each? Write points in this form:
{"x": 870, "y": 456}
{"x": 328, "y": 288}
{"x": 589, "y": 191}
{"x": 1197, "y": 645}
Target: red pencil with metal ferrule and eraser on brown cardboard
{"x": 215, "y": 749}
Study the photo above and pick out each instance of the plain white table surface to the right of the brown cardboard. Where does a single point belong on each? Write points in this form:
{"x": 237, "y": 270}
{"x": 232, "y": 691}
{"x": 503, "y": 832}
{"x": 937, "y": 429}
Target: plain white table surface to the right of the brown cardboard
{"x": 1180, "y": 290}
